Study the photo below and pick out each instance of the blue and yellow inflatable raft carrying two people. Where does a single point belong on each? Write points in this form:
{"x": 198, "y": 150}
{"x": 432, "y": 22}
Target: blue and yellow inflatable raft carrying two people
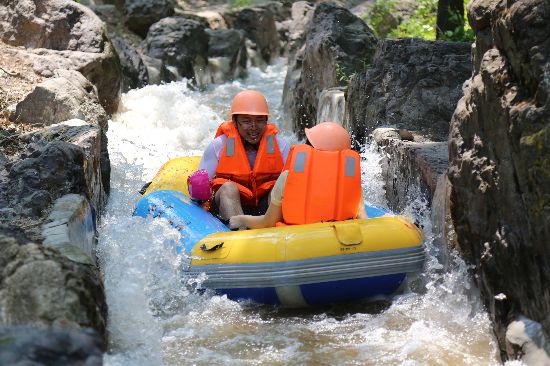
{"x": 293, "y": 266}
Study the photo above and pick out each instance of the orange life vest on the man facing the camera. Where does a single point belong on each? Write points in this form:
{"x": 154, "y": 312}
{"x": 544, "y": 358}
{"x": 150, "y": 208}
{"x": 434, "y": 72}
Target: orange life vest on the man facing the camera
{"x": 234, "y": 165}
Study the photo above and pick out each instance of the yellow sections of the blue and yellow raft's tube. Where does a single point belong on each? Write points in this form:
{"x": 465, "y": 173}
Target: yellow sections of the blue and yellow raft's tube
{"x": 286, "y": 243}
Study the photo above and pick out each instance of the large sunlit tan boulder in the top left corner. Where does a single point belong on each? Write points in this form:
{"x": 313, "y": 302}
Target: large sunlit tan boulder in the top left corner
{"x": 71, "y": 38}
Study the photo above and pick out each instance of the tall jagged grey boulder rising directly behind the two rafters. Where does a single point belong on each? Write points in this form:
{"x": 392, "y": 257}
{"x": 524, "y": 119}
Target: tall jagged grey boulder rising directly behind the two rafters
{"x": 338, "y": 44}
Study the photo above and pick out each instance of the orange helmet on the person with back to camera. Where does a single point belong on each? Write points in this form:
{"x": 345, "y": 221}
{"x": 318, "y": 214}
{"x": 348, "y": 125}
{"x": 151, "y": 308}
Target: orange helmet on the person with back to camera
{"x": 328, "y": 136}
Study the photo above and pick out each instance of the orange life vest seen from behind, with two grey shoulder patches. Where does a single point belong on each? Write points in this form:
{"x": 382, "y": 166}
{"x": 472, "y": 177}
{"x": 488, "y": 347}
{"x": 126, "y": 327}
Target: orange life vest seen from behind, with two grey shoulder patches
{"x": 321, "y": 185}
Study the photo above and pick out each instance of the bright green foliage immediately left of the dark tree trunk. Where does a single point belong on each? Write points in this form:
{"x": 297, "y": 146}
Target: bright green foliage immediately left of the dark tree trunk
{"x": 421, "y": 24}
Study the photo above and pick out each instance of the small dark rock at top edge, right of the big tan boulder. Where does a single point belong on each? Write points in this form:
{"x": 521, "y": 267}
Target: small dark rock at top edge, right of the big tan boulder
{"x": 141, "y": 14}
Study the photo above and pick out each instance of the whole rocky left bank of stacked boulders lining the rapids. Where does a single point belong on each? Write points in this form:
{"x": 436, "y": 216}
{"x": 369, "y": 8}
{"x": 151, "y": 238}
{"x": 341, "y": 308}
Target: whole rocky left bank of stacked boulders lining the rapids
{"x": 54, "y": 181}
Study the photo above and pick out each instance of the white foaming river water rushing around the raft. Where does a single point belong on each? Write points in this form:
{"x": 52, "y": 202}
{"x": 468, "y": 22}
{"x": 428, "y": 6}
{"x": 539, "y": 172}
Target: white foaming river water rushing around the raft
{"x": 154, "y": 319}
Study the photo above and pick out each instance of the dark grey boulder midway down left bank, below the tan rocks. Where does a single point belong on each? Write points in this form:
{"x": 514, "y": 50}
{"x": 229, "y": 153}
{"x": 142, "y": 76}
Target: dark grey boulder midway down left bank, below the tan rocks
{"x": 50, "y": 163}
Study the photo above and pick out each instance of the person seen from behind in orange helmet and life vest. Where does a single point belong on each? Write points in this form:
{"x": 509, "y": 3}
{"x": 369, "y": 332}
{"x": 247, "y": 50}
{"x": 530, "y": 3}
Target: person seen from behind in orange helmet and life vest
{"x": 320, "y": 182}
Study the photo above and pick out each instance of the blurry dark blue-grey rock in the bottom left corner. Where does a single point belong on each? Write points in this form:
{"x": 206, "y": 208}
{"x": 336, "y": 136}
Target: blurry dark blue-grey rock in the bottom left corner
{"x": 31, "y": 346}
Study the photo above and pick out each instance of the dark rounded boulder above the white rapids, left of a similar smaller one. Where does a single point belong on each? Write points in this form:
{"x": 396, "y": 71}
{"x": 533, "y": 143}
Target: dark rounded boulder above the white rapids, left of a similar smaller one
{"x": 181, "y": 43}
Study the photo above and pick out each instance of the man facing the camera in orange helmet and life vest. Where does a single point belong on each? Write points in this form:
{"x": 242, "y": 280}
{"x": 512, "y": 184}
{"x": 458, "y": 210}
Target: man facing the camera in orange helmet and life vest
{"x": 245, "y": 158}
